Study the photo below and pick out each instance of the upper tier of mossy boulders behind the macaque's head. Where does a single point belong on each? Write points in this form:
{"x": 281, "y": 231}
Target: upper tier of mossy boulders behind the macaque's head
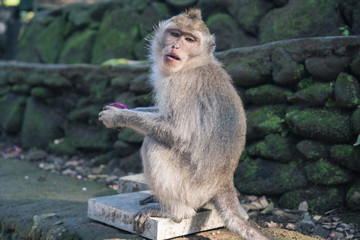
{"x": 83, "y": 33}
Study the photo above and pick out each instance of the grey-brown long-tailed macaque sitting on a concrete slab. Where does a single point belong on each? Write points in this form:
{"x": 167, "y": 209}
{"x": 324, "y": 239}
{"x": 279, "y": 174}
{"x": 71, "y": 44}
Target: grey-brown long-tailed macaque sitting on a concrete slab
{"x": 196, "y": 134}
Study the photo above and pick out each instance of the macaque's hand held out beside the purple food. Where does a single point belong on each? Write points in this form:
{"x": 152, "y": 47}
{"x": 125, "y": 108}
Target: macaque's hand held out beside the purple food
{"x": 113, "y": 117}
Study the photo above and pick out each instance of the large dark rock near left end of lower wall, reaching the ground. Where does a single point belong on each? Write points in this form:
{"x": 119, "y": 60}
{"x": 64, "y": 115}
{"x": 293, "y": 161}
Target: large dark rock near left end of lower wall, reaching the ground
{"x": 41, "y": 125}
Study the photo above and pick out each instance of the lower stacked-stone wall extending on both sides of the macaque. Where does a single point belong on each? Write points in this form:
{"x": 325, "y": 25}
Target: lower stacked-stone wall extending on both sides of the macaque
{"x": 302, "y": 100}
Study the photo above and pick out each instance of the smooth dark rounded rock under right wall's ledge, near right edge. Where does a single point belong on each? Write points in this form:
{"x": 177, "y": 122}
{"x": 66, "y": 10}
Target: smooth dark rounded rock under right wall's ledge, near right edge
{"x": 326, "y": 68}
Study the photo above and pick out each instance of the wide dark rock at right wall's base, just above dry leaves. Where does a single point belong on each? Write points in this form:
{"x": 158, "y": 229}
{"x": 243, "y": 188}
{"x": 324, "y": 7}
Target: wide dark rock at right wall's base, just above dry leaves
{"x": 319, "y": 199}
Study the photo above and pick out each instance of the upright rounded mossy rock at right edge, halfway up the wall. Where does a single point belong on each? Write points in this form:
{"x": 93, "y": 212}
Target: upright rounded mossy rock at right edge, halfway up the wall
{"x": 347, "y": 91}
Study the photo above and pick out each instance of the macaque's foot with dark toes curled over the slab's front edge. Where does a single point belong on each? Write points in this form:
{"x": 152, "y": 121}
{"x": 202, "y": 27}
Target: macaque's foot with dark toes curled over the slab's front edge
{"x": 150, "y": 210}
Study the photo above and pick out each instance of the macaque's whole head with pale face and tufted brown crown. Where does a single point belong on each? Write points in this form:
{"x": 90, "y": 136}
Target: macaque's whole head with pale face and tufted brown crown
{"x": 182, "y": 42}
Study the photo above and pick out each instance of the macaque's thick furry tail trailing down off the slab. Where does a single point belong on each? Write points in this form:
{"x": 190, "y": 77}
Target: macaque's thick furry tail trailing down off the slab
{"x": 226, "y": 203}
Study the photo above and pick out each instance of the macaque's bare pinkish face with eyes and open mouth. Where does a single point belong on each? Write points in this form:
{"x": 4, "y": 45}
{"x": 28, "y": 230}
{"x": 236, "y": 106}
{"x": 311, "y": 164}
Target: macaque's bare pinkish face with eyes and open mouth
{"x": 181, "y": 50}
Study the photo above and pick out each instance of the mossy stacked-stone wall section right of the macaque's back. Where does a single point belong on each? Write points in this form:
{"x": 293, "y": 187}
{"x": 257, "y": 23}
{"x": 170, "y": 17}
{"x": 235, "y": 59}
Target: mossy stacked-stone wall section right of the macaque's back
{"x": 302, "y": 103}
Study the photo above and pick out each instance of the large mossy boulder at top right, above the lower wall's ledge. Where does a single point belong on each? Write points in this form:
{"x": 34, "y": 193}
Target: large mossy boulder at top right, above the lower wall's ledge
{"x": 318, "y": 18}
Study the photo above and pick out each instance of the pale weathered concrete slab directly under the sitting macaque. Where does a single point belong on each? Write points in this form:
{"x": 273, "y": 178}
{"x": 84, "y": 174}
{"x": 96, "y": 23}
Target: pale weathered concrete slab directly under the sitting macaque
{"x": 119, "y": 210}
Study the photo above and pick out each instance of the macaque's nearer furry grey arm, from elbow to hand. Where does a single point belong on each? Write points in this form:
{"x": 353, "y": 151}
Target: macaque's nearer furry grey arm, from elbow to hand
{"x": 146, "y": 123}
